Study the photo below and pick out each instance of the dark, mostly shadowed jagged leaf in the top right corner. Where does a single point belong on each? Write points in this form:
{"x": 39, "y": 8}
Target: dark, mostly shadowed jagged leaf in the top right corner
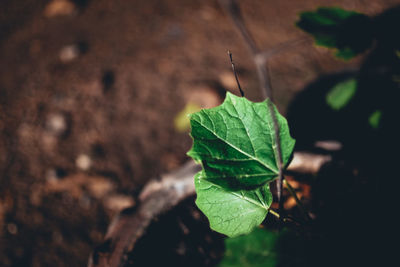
{"x": 349, "y": 32}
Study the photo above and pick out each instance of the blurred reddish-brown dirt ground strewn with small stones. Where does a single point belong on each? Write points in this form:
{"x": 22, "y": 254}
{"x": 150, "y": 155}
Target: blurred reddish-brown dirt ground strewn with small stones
{"x": 88, "y": 94}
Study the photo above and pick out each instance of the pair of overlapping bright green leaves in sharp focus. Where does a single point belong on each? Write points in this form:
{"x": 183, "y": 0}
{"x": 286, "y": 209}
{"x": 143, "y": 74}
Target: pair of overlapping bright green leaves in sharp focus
{"x": 237, "y": 146}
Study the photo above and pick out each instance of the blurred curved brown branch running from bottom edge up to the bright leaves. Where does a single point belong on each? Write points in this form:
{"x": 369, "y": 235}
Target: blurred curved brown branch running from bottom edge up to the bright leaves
{"x": 157, "y": 197}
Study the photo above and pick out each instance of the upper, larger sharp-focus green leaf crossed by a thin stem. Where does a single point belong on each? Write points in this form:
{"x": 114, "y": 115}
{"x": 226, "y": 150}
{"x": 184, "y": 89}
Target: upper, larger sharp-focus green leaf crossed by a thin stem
{"x": 236, "y": 144}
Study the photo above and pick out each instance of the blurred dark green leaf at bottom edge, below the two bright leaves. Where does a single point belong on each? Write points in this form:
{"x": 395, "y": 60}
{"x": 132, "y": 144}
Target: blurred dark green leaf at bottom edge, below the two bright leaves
{"x": 257, "y": 249}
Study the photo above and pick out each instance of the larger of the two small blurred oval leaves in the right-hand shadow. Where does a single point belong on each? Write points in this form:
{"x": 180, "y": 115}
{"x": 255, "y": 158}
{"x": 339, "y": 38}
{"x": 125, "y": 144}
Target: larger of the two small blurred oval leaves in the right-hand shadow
{"x": 340, "y": 95}
